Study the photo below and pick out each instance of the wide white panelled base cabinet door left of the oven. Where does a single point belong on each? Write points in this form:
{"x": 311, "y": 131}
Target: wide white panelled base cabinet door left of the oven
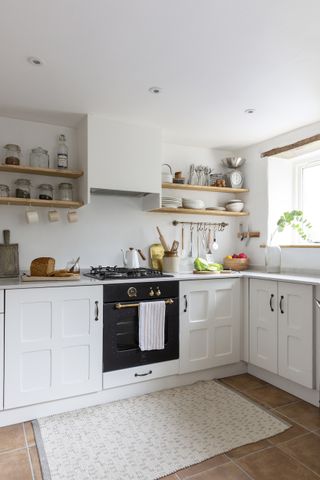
{"x": 53, "y": 344}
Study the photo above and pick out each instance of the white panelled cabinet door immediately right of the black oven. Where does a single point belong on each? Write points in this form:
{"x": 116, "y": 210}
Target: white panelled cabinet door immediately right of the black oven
{"x": 209, "y": 324}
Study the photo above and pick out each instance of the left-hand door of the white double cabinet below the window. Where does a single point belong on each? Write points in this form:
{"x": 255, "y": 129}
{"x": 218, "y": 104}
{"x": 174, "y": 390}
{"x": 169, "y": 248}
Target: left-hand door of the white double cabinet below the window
{"x": 263, "y": 324}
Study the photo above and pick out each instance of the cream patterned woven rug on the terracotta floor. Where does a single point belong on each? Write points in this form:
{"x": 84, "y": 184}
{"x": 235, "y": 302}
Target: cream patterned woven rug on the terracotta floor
{"x": 147, "y": 437}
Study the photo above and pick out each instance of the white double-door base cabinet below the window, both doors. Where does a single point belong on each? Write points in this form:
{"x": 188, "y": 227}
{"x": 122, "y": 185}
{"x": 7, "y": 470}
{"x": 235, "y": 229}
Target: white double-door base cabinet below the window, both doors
{"x": 281, "y": 329}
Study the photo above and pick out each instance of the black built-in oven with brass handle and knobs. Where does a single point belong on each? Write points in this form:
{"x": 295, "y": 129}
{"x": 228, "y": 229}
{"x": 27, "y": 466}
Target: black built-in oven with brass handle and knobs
{"x": 121, "y": 323}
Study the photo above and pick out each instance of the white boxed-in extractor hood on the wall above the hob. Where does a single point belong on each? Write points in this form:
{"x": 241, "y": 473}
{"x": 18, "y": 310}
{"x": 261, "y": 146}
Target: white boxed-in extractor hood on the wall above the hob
{"x": 122, "y": 157}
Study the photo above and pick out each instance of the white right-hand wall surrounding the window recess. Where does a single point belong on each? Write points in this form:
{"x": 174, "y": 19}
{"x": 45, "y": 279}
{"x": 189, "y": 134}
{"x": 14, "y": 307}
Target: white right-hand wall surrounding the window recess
{"x": 256, "y": 170}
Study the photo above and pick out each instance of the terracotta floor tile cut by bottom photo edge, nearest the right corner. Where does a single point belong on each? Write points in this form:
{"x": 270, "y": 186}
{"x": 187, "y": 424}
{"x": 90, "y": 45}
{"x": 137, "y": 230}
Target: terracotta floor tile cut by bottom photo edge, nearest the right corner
{"x": 274, "y": 464}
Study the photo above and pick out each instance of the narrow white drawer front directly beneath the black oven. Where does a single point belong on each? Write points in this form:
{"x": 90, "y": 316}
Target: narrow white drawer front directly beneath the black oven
{"x": 129, "y": 376}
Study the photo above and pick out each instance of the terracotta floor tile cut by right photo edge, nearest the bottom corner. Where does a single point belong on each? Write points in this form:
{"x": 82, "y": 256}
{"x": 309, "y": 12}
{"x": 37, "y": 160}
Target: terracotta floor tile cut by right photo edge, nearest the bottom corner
{"x": 306, "y": 449}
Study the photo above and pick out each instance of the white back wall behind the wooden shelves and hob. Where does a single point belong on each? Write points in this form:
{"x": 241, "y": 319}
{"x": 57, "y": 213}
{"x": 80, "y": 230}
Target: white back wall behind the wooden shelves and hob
{"x": 109, "y": 223}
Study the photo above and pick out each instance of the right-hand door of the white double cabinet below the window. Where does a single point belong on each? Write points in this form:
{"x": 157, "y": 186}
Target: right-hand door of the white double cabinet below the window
{"x": 296, "y": 332}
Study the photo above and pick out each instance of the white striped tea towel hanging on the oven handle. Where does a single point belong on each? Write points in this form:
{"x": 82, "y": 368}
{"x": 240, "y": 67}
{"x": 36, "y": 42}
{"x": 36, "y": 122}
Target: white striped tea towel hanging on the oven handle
{"x": 152, "y": 325}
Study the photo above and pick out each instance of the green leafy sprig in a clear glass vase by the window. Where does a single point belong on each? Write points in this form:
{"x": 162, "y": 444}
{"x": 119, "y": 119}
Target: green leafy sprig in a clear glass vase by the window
{"x": 293, "y": 219}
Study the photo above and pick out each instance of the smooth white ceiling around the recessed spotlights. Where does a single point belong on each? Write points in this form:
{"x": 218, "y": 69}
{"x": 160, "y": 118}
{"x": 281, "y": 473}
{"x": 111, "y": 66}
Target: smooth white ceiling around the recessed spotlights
{"x": 213, "y": 59}
